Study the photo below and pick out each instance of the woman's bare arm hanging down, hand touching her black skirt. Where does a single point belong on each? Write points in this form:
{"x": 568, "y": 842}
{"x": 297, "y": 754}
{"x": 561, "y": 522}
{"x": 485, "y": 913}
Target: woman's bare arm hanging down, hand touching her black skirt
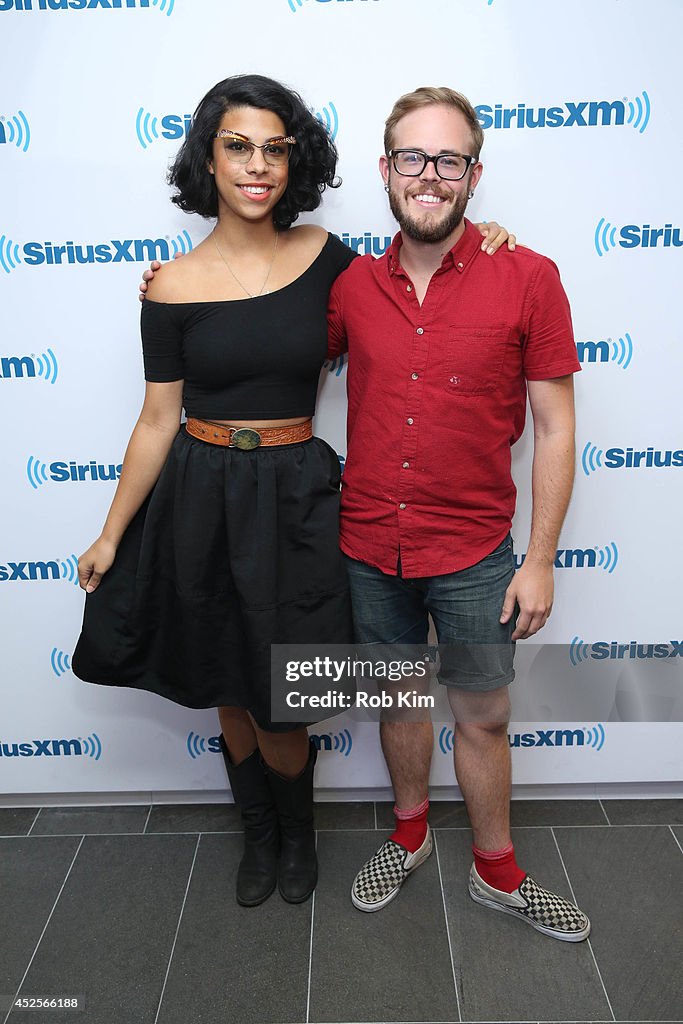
{"x": 146, "y": 455}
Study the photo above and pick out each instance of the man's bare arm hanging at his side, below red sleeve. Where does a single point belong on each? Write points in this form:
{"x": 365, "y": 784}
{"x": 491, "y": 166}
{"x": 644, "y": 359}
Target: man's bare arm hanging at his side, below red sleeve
{"x": 552, "y": 479}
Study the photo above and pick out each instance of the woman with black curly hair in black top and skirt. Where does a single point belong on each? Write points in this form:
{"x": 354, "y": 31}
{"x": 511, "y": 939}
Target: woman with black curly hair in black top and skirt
{"x": 223, "y": 537}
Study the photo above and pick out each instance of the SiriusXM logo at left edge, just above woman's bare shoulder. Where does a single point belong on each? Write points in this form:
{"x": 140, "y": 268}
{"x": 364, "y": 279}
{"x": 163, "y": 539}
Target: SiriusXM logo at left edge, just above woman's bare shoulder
{"x": 116, "y": 251}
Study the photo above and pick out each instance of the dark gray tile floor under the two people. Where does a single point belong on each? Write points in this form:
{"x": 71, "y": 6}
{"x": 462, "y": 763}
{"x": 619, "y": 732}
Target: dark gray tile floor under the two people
{"x": 133, "y": 909}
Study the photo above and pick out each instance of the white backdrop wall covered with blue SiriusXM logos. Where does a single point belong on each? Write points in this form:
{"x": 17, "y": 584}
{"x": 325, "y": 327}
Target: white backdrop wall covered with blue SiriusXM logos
{"x": 95, "y": 99}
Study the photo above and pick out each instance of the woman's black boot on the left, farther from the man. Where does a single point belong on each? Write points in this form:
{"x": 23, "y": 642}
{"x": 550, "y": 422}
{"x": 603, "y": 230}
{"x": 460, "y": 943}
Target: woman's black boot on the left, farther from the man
{"x": 258, "y": 873}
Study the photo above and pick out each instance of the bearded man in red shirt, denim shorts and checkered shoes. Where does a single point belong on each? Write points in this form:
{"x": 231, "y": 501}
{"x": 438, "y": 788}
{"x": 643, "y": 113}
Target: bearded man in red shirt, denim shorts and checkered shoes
{"x": 445, "y": 347}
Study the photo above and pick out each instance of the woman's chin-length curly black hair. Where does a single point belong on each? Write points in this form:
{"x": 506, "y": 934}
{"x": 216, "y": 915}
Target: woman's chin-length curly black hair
{"x": 313, "y": 163}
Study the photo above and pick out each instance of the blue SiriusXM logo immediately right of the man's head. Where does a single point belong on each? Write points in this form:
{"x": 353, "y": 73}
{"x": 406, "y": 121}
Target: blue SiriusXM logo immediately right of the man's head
{"x": 584, "y": 114}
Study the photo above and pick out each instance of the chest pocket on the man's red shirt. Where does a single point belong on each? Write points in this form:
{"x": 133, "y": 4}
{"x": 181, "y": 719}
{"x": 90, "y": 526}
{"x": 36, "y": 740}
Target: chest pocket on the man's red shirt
{"x": 476, "y": 358}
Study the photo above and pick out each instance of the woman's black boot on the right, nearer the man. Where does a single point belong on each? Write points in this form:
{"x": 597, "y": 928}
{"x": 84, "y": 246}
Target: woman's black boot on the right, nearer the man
{"x": 297, "y": 868}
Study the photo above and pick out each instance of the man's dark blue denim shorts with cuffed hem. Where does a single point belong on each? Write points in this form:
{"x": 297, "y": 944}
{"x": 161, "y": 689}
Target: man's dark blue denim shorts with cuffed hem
{"x": 476, "y": 650}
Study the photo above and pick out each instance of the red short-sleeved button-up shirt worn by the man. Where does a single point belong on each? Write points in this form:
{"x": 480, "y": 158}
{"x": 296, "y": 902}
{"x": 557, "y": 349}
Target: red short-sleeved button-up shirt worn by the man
{"x": 438, "y": 397}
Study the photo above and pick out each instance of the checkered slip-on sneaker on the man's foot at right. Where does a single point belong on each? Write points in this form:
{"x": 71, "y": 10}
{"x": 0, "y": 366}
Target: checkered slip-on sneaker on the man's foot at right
{"x": 544, "y": 911}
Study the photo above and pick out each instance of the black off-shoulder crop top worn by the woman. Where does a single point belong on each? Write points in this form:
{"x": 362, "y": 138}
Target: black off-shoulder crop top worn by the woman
{"x": 253, "y": 359}
